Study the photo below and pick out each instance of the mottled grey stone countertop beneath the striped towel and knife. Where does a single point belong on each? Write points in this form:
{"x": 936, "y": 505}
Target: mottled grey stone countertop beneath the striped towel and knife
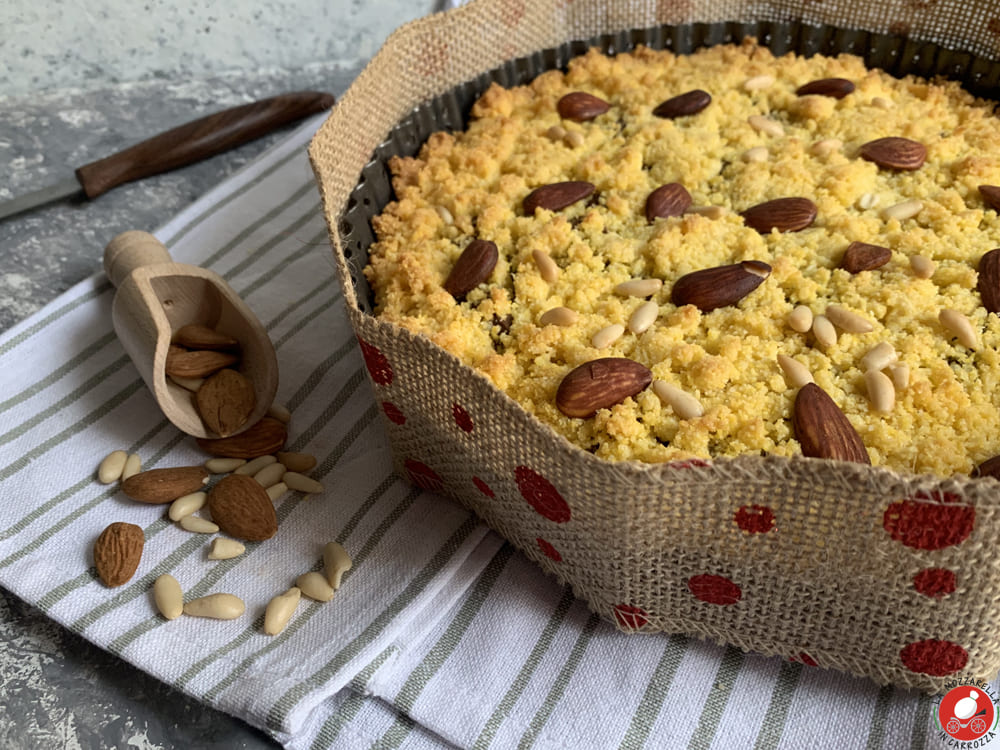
{"x": 56, "y": 689}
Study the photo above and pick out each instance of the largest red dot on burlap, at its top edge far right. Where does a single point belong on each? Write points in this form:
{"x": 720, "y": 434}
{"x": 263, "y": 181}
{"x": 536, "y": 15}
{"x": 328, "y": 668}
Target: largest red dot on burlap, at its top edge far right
{"x": 919, "y": 524}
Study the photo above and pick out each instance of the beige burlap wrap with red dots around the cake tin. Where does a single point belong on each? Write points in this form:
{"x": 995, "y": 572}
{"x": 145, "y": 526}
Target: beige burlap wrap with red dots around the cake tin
{"x": 660, "y": 547}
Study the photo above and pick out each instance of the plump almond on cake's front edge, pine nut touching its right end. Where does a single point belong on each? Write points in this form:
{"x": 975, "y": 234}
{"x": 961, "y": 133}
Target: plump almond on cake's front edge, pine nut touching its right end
{"x": 600, "y": 384}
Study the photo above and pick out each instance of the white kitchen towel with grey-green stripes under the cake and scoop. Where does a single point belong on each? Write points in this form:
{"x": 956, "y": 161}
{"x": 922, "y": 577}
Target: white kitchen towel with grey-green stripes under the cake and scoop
{"x": 441, "y": 635}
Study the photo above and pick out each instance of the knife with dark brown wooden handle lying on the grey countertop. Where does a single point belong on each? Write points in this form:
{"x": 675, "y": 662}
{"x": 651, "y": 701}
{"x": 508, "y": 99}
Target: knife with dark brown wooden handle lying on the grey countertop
{"x": 177, "y": 147}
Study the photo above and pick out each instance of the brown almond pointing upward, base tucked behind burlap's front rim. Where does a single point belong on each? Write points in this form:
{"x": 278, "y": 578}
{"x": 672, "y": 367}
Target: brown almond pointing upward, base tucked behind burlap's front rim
{"x": 822, "y": 429}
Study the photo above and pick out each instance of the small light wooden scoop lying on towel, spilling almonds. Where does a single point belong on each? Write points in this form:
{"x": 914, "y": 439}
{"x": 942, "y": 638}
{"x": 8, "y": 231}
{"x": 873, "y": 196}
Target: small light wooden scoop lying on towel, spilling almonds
{"x": 155, "y": 298}
